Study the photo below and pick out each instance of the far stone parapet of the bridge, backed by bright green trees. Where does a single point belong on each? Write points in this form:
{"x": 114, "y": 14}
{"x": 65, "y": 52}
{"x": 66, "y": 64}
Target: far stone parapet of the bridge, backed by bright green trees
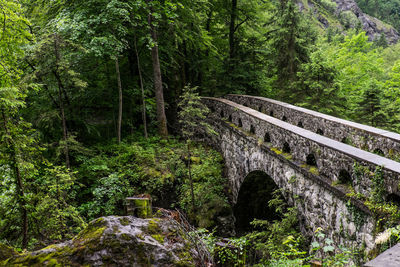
{"x": 365, "y": 137}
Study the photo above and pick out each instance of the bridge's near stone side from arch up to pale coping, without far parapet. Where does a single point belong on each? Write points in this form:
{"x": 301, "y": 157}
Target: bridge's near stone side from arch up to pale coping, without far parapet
{"x": 321, "y": 205}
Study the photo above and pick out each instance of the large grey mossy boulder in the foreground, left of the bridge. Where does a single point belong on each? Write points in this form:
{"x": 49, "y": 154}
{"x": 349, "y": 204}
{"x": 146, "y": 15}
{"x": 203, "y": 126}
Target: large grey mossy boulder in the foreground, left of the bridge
{"x": 115, "y": 241}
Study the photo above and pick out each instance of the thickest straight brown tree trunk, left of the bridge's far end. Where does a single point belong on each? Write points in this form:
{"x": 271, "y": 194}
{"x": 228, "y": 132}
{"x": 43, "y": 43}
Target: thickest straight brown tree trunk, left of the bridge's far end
{"x": 161, "y": 118}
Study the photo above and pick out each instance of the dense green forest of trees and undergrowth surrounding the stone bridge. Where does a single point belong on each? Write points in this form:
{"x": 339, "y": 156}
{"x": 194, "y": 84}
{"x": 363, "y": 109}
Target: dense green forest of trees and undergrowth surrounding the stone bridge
{"x": 84, "y": 83}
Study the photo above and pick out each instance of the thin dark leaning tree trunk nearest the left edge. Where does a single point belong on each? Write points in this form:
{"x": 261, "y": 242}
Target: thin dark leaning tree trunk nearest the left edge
{"x": 18, "y": 184}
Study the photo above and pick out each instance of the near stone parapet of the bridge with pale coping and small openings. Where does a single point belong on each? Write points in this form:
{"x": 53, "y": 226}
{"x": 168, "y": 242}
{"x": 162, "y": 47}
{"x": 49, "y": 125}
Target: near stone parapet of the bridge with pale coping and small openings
{"x": 322, "y": 155}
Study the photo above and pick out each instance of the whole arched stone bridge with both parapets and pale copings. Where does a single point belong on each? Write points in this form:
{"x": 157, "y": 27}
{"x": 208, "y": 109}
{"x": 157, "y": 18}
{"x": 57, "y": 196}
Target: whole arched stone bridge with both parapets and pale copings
{"x": 327, "y": 180}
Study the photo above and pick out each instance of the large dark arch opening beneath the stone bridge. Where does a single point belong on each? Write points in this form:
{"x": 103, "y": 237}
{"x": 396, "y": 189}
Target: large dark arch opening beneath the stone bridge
{"x": 255, "y": 192}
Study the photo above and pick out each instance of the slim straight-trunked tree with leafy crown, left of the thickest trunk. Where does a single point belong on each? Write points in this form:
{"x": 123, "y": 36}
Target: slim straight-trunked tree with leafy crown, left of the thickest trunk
{"x": 102, "y": 27}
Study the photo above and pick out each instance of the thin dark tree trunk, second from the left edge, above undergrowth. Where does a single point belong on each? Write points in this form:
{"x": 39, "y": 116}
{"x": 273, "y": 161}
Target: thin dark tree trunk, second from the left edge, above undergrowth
{"x": 61, "y": 102}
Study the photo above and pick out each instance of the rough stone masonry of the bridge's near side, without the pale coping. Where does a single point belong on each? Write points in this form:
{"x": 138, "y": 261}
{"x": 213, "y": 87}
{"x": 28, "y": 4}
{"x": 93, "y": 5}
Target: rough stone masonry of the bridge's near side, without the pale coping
{"x": 318, "y": 203}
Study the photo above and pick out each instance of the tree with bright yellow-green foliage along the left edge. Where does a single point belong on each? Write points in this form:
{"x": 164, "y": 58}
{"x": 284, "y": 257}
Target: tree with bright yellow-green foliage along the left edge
{"x": 13, "y": 36}
